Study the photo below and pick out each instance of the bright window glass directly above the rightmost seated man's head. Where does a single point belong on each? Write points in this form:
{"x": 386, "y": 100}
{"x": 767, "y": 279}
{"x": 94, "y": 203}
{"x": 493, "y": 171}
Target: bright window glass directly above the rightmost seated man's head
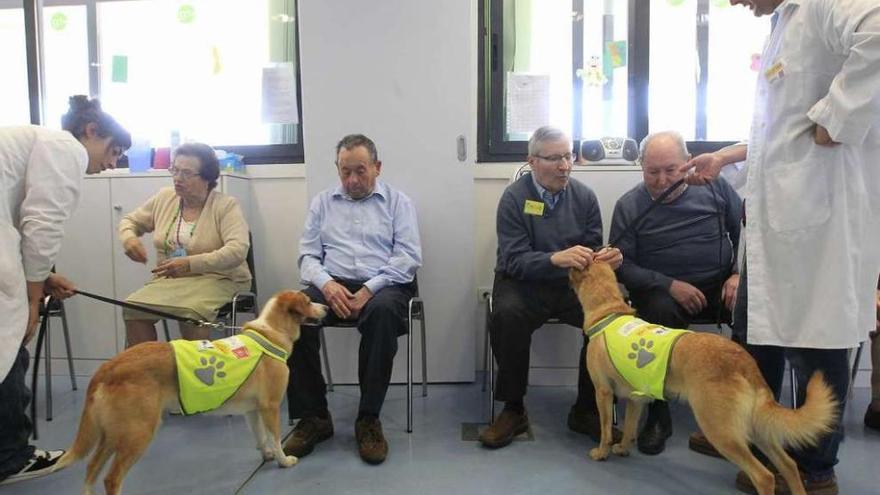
{"x": 732, "y": 47}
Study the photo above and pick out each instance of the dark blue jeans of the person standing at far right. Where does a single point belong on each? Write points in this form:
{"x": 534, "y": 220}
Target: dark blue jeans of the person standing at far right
{"x": 816, "y": 462}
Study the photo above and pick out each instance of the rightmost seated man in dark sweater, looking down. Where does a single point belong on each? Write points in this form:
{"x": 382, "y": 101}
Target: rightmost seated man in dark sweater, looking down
{"x": 679, "y": 260}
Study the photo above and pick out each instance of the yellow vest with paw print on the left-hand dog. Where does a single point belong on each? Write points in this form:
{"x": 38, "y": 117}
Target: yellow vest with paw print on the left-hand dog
{"x": 210, "y": 372}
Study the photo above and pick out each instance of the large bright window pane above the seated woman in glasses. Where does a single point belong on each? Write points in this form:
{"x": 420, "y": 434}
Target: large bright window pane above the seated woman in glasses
{"x": 197, "y": 69}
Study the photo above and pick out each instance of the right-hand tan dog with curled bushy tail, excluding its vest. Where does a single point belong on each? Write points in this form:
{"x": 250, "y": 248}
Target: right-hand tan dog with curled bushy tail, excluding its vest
{"x": 730, "y": 399}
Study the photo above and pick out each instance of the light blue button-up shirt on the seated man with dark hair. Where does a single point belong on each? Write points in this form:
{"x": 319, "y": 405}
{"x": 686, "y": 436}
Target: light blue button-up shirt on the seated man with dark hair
{"x": 374, "y": 239}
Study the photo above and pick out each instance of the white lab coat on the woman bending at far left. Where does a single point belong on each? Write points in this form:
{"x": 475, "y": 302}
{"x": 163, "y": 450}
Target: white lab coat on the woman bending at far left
{"x": 40, "y": 177}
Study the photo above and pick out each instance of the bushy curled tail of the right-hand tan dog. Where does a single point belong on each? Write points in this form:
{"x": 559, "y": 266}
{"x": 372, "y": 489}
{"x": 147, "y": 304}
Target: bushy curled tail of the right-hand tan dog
{"x": 801, "y": 427}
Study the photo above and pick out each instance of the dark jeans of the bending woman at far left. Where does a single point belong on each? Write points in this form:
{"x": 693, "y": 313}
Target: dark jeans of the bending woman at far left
{"x": 15, "y": 424}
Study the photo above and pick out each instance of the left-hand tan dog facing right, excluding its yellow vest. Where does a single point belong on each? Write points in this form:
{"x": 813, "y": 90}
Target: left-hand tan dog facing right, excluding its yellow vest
{"x": 128, "y": 394}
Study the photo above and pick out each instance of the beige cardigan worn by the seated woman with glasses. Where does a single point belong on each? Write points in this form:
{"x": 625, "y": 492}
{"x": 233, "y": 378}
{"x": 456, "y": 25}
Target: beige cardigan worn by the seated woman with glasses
{"x": 219, "y": 244}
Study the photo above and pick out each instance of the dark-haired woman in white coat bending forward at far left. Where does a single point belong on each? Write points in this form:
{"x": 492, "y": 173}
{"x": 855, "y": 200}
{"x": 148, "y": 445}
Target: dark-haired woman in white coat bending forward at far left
{"x": 40, "y": 176}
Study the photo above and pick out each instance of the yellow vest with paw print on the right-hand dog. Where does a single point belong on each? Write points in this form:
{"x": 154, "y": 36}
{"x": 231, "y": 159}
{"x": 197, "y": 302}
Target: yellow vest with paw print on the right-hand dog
{"x": 639, "y": 351}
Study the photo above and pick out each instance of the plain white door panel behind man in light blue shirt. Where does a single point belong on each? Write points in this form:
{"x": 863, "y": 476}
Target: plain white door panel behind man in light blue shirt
{"x": 402, "y": 73}
